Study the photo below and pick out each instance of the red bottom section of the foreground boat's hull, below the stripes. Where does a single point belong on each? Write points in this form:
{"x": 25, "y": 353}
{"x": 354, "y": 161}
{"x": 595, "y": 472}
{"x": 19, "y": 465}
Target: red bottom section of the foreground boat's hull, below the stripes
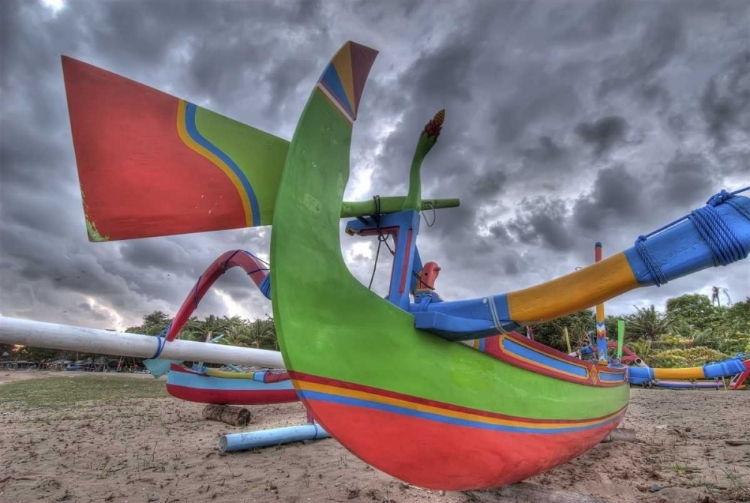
{"x": 396, "y": 443}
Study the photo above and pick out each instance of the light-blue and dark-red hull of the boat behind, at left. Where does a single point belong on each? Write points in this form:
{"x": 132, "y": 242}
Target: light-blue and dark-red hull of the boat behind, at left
{"x": 192, "y": 386}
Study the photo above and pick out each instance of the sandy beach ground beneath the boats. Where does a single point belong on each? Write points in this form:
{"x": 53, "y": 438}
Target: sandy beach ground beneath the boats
{"x": 161, "y": 450}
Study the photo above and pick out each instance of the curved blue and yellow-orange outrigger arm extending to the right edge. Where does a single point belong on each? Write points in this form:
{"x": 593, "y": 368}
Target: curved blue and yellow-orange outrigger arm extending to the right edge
{"x": 717, "y": 234}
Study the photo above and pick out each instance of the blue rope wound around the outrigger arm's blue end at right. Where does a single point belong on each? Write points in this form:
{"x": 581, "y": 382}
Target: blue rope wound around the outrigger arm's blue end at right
{"x": 725, "y": 246}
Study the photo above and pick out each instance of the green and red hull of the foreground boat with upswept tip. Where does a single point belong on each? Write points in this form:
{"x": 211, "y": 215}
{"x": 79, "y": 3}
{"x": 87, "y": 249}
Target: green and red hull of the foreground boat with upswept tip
{"x": 426, "y": 410}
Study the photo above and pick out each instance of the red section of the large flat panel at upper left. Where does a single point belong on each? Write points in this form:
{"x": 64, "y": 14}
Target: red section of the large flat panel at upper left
{"x": 138, "y": 178}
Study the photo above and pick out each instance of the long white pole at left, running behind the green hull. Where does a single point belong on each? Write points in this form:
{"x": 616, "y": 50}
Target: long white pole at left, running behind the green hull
{"x": 90, "y": 340}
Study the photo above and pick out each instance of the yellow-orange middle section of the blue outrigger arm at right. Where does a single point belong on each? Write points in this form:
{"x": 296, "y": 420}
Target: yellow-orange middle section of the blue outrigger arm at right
{"x": 571, "y": 293}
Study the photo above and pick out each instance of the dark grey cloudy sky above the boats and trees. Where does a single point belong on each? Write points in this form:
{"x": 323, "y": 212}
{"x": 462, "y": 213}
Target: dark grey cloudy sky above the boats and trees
{"x": 567, "y": 123}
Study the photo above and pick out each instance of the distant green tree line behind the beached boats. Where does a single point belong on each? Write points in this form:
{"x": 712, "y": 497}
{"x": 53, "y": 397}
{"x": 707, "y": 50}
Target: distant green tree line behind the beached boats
{"x": 693, "y": 330}
